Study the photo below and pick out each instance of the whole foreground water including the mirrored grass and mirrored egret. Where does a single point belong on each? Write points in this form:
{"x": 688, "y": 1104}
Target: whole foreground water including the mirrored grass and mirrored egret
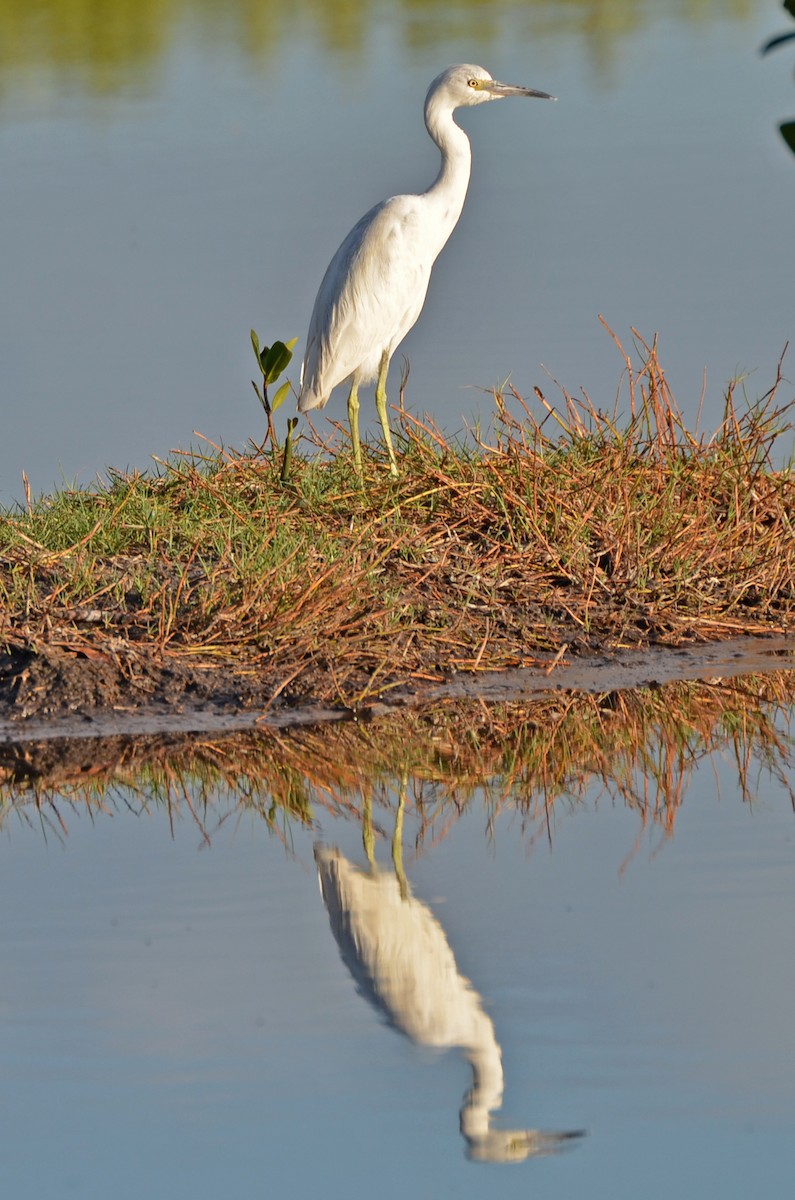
{"x": 614, "y": 875}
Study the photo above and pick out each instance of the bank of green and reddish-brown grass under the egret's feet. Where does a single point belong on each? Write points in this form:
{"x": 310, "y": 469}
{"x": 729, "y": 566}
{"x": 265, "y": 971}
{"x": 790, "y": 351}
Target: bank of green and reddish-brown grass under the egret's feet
{"x": 572, "y": 529}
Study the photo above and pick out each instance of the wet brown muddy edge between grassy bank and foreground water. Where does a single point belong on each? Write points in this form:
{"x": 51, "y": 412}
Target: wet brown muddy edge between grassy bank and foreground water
{"x": 59, "y": 697}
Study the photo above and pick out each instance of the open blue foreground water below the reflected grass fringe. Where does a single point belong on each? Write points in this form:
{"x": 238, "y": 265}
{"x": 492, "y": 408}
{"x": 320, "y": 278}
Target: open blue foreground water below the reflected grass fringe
{"x": 177, "y": 1018}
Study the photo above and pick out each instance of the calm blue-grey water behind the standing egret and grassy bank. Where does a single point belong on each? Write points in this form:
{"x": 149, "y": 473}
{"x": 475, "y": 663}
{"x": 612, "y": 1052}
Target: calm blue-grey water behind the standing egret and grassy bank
{"x": 172, "y": 176}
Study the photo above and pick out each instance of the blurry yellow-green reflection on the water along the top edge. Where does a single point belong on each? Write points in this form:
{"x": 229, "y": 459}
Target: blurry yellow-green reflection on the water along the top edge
{"x": 101, "y": 47}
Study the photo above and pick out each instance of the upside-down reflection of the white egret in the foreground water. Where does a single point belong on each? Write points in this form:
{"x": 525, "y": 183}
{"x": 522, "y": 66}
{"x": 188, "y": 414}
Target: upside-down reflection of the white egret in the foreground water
{"x": 401, "y": 959}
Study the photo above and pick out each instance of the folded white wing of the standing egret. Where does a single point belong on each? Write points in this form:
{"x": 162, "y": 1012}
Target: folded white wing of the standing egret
{"x": 370, "y": 297}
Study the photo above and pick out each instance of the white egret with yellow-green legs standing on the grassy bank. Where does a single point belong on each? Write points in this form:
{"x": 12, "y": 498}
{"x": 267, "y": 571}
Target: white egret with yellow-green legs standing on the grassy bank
{"x": 376, "y": 284}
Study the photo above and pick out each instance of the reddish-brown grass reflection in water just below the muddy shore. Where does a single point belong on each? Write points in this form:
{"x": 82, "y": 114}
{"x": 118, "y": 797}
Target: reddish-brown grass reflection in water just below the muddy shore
{"x": 537, "y": 760}
